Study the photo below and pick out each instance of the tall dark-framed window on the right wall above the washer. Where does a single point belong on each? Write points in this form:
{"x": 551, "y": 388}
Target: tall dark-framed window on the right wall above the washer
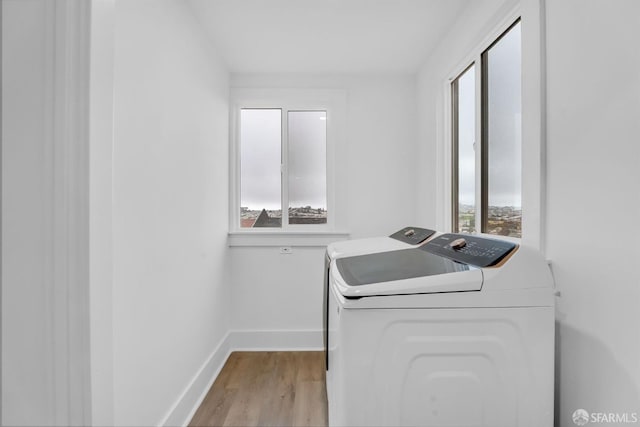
{"x": 486, "y": 177}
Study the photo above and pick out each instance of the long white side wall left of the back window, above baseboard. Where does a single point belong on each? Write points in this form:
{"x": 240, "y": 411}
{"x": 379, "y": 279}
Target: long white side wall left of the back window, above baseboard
{"x": 170, "y": 177}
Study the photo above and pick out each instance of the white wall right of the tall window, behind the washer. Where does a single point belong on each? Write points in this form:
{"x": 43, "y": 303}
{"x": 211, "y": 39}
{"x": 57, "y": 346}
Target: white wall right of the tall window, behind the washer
{"x": 594, "y": 203}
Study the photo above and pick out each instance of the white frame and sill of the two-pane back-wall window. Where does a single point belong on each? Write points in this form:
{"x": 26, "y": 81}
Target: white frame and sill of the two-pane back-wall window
{"x": 331, "y": 101}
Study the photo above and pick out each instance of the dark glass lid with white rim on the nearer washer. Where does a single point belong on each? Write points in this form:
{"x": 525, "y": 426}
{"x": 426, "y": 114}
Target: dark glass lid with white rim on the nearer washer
{"x": 408, "y": 271}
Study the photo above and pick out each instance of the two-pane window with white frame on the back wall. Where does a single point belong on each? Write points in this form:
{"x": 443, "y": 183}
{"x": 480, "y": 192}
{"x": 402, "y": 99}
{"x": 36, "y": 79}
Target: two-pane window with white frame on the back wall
{"x": 282, "y": 145}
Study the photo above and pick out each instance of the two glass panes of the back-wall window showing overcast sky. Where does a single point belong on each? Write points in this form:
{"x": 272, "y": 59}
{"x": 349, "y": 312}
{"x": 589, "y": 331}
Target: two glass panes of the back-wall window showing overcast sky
{"x": 283, "y": 162}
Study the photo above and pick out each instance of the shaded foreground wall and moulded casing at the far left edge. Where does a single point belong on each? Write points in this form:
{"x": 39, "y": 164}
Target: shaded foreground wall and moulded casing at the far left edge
{"x": 45, "y": 333}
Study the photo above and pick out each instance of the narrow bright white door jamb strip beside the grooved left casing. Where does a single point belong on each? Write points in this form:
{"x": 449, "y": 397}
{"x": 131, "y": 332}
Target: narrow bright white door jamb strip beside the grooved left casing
{"x": 101, "y": 209}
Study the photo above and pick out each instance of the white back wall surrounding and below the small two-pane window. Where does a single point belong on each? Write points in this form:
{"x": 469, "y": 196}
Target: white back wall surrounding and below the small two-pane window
{"x": 375, "y": 171}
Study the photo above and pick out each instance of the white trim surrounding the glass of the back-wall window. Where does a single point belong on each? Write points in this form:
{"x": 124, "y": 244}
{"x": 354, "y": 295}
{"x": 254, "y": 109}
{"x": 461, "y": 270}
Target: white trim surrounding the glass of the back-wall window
{"x": 333, "y": 101}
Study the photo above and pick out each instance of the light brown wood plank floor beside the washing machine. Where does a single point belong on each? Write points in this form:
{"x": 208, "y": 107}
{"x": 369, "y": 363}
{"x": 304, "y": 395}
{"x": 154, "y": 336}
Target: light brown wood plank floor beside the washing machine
{"x": 267, "y": 389}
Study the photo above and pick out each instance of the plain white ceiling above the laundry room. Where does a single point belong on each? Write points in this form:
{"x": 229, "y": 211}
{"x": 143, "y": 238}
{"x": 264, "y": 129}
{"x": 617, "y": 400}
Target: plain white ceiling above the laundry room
{"x": 326, "y": 36}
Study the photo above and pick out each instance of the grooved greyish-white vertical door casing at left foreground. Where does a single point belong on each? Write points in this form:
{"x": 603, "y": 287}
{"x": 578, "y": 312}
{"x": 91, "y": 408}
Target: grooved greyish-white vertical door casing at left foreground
{"x": 68, "y": 57}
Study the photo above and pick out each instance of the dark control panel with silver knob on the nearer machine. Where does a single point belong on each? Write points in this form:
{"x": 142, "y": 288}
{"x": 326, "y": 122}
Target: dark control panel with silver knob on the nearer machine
{"x": 473, "y": 250}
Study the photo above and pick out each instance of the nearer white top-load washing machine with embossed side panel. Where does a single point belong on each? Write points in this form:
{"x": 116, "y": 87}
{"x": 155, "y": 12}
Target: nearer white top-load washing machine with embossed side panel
{"x": 456, "y": 332}
